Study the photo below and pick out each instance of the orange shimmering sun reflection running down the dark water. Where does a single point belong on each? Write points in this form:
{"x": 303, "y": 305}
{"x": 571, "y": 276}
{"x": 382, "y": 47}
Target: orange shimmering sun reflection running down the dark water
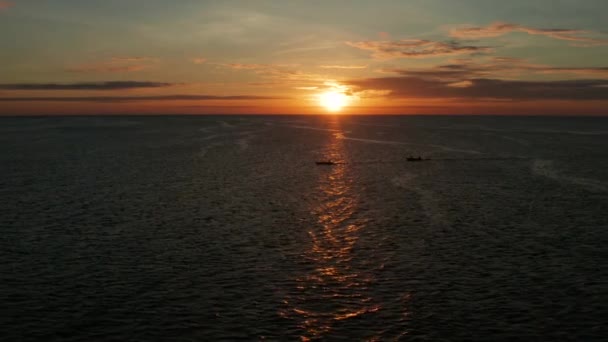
{"x": 335, "y": 290}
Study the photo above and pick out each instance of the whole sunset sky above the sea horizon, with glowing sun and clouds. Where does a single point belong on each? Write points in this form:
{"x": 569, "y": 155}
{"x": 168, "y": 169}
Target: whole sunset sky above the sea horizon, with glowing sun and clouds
{"x": 532, "y": 57}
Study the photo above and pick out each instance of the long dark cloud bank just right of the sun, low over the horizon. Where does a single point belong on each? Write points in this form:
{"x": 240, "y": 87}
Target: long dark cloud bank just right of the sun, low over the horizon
{"x": 483, "y": 88}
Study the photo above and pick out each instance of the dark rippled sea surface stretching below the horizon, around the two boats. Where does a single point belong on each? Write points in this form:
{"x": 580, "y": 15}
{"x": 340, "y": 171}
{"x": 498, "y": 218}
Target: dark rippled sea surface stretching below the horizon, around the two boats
{"x": 223, "y": 228}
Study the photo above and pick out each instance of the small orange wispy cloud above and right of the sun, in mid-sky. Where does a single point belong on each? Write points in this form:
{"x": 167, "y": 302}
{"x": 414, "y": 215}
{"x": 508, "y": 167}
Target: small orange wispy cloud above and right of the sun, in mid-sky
{"x": 416, "y": 48}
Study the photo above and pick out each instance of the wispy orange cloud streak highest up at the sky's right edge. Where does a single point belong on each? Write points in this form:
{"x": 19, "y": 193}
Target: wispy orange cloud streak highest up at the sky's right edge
{"x": 500, "y": 28}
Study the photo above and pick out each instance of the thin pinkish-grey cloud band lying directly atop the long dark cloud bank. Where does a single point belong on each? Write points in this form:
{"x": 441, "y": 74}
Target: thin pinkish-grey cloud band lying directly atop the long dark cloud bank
{"x": 496, "y": 67}
